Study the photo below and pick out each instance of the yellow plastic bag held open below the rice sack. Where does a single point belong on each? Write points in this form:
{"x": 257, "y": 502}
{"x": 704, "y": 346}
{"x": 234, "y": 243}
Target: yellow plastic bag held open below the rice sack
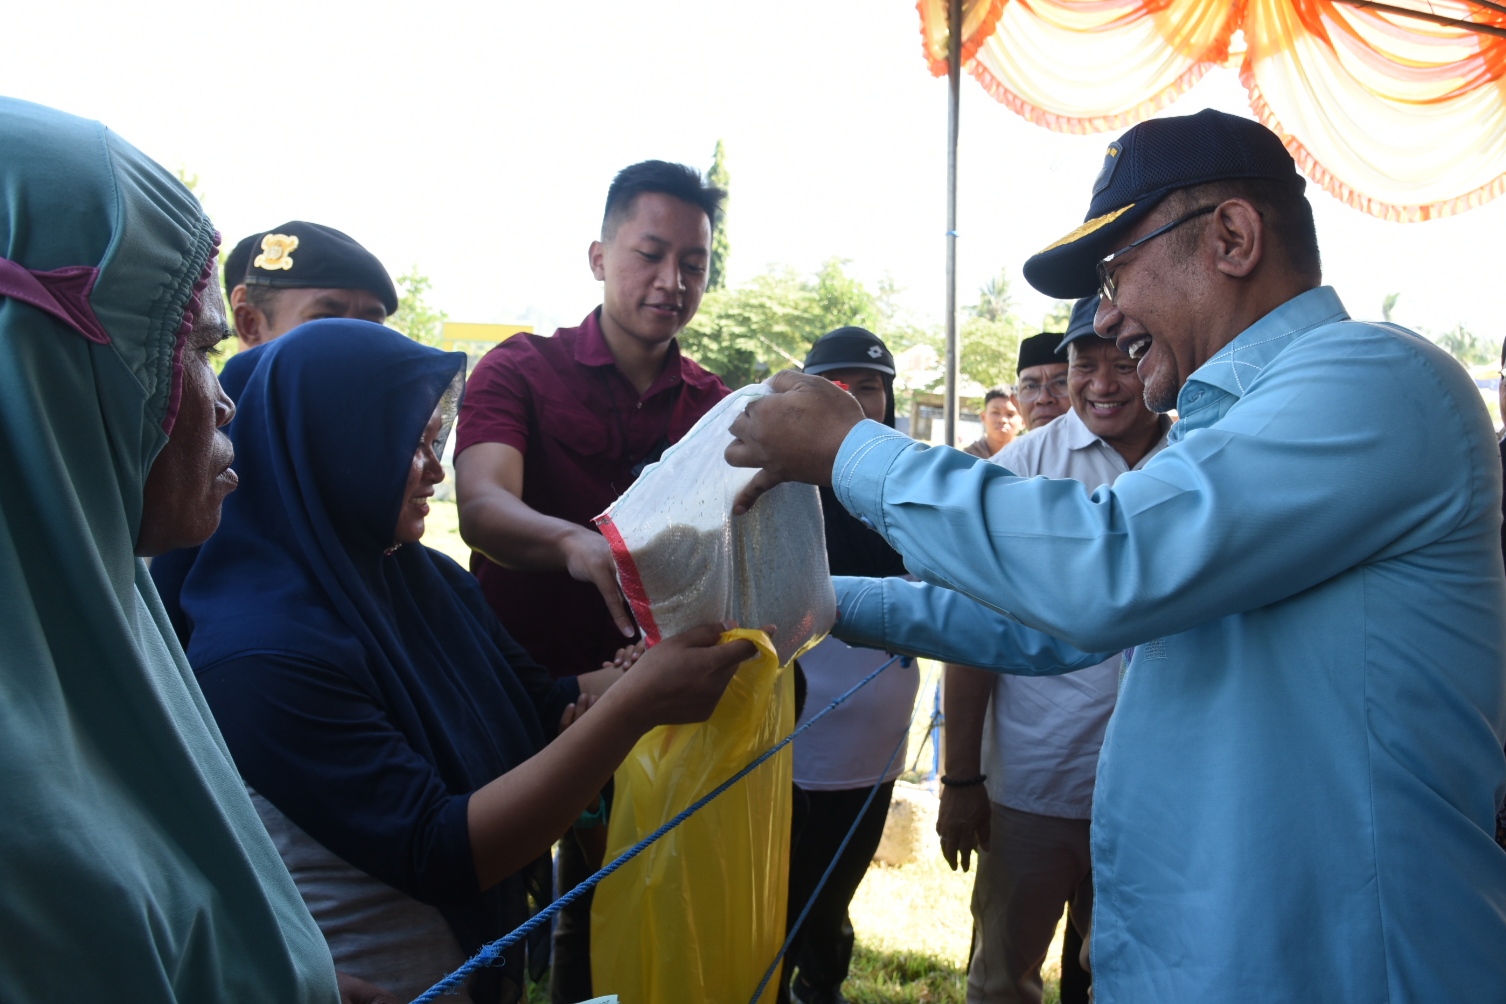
{"x": 701, "y": 914}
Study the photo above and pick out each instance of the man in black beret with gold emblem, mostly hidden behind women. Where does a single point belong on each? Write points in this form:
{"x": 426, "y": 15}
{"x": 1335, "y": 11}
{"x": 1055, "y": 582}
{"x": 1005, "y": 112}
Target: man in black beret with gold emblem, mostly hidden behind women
{"x": 303, "y": 272}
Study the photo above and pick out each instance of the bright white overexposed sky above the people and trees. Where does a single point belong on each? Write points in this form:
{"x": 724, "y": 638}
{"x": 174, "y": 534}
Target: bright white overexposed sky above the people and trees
{"x": 477, "y": 141}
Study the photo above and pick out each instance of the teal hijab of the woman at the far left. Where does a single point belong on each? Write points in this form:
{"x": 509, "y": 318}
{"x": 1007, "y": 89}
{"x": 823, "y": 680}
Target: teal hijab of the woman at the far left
{"x": 133, "y": 866}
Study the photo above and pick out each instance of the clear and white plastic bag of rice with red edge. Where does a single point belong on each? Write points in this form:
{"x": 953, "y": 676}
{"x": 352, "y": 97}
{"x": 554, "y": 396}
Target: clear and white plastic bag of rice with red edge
{"x": 686, "y": 561}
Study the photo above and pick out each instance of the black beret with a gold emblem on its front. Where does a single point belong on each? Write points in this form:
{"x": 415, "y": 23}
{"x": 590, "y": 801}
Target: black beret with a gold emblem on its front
{"x": 311, "y": 257}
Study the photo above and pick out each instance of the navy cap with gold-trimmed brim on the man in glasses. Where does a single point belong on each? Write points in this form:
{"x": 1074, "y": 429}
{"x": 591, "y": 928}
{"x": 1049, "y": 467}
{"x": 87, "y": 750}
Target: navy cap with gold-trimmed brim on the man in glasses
{"x": 1141, "y": 169}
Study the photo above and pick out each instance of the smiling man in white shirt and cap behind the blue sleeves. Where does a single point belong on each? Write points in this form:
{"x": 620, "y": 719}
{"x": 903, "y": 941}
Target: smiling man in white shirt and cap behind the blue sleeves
{"x": 1022, "y": 752}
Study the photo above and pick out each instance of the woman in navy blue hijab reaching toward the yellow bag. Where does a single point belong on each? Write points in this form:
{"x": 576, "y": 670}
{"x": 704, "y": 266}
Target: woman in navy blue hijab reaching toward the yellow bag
{"x": 397, "y": 741}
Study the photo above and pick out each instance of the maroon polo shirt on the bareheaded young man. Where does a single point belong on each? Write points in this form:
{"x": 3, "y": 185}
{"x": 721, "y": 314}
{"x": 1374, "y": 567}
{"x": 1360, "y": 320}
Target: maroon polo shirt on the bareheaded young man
{"x": 582, "y": 430}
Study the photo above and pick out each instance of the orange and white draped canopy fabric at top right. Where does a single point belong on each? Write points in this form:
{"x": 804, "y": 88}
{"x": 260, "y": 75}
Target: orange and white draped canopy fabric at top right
{"x": 1392, "y": 115}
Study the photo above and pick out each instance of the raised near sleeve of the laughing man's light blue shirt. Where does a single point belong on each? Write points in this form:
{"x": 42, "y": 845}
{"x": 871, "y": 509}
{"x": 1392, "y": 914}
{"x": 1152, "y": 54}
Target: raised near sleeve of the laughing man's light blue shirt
{"x": 1293, "y": 485}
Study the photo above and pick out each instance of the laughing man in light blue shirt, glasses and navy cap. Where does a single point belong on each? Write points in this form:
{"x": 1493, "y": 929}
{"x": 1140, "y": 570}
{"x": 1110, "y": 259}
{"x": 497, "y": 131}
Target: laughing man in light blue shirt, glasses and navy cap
{"x": 1297, "y": 791}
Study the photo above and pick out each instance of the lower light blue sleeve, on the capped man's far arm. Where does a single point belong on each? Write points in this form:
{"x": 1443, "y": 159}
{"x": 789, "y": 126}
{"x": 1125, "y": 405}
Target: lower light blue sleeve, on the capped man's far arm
{"x": 940, "y": 624}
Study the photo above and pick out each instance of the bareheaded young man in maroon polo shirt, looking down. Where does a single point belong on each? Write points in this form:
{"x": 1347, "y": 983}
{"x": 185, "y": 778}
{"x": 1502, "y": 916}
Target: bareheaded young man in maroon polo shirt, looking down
{"x": 553, "y": 430}
